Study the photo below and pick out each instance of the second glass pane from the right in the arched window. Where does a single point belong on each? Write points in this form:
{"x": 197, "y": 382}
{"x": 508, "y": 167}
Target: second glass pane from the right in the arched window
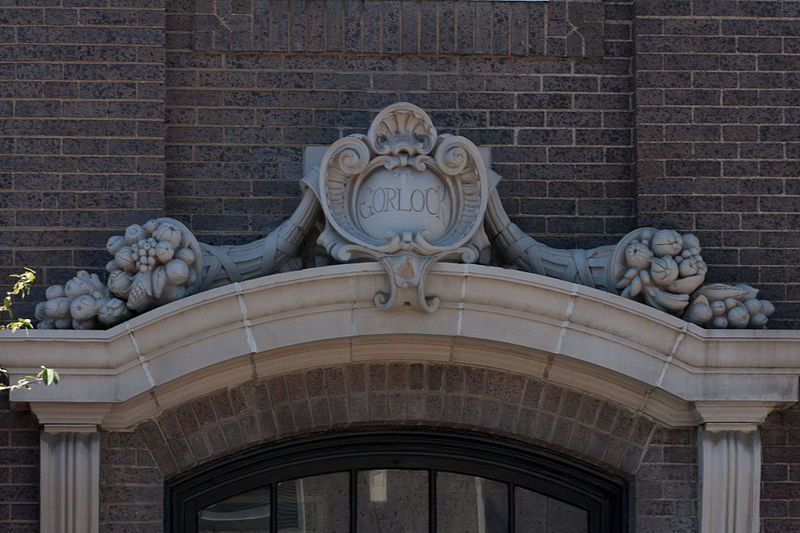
{"x": 470, "y": 504}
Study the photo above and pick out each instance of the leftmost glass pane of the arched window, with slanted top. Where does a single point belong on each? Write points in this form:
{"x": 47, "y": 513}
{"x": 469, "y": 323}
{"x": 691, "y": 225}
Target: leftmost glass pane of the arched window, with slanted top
{"x": 244, "y": 513}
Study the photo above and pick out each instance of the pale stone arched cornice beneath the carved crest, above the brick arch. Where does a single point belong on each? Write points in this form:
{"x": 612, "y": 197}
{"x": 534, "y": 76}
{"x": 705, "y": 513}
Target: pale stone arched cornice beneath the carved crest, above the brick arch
{"x": 490, "y": 317}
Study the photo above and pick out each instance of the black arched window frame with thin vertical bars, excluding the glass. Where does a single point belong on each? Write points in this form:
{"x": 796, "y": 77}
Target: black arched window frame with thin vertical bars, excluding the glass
{"x": 603, "y": 494}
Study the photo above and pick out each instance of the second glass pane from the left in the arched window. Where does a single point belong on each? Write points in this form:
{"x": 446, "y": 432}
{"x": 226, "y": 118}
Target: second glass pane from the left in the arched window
{"x": 315, "y": 504}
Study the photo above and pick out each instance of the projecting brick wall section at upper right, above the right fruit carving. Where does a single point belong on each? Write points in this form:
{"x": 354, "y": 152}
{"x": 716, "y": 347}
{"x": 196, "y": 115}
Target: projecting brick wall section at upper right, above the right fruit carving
{"x": 718, "y": 136}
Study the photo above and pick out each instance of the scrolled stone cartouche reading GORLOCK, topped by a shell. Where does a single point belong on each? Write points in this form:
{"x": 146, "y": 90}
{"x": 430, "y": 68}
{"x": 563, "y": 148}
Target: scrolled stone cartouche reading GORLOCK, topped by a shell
{"x": 405, "y": 196}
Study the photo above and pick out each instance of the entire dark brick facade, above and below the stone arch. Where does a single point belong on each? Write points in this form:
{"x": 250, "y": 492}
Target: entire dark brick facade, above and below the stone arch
{"x": 601, "y": 117}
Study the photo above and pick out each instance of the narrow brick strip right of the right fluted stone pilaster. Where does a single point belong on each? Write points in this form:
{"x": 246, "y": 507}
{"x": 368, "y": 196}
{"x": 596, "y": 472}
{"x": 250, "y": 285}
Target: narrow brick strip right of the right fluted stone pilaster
{"x": 780, "y": 473}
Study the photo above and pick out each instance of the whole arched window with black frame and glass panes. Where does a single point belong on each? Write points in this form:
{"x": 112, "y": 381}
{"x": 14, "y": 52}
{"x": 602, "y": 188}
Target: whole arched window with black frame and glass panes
{"x": 380, "y": 480}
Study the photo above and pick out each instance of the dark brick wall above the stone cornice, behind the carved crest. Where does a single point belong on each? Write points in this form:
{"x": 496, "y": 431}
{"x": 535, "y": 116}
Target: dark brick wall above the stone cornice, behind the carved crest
{"x": 86, "y": 90}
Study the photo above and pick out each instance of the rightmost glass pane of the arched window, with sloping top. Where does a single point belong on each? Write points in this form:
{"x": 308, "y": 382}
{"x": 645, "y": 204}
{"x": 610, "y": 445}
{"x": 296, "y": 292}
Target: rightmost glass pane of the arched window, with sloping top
{"x": 536, "y": 513}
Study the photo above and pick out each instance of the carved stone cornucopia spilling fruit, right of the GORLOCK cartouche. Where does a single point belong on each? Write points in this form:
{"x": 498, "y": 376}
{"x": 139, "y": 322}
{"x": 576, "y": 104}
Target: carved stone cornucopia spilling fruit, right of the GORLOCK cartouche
{"x": 660, "y": 268}
